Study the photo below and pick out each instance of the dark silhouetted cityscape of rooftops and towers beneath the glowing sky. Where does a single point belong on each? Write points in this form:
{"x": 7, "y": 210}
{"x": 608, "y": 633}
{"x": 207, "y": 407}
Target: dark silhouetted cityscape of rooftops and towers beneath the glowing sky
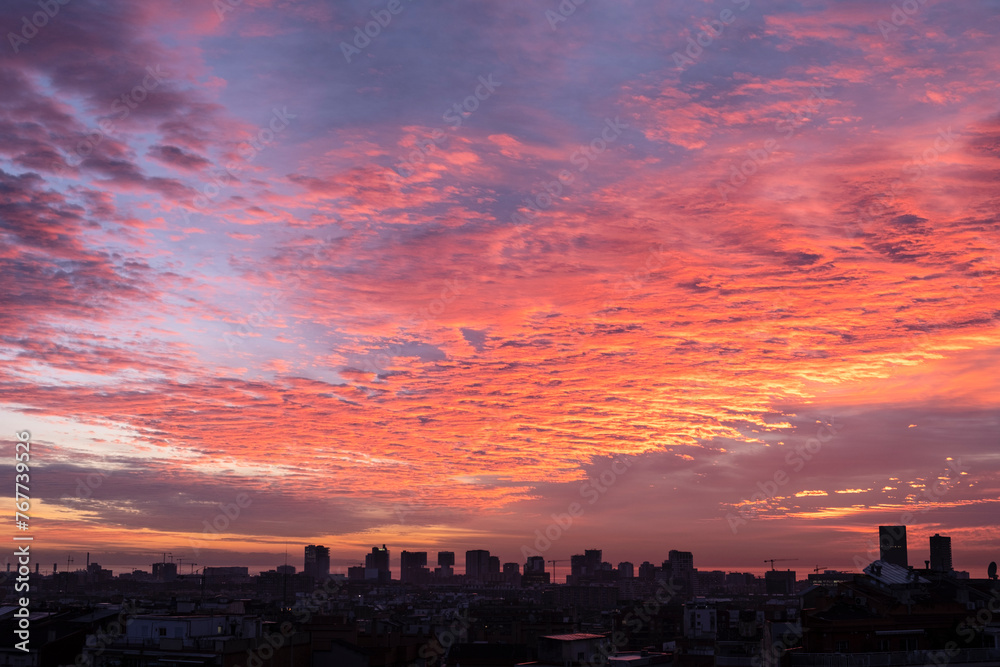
{"x": 510, "y": 614}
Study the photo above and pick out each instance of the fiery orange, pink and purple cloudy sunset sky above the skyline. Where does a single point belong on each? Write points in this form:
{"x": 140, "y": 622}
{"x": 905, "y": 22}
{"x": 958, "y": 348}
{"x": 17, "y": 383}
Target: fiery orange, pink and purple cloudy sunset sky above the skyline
{"x": 717, "y": 276}
